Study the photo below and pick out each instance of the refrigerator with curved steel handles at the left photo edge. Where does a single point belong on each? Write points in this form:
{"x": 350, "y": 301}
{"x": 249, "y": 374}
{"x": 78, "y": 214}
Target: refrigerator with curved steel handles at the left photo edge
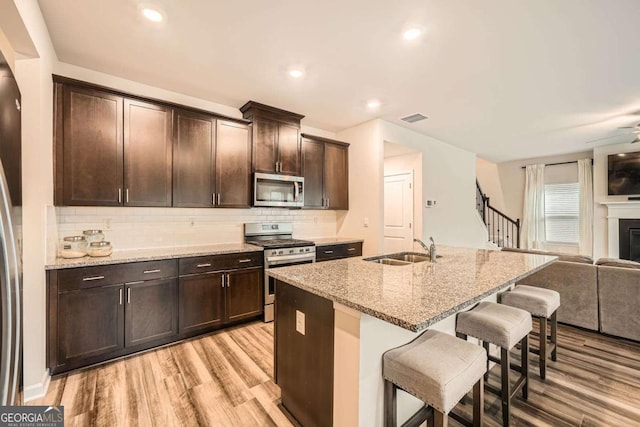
{"x": 10, "y": 237}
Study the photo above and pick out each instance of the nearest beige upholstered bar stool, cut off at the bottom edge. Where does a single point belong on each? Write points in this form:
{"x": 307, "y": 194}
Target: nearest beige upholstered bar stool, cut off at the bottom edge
{"x": 438, "y": 369}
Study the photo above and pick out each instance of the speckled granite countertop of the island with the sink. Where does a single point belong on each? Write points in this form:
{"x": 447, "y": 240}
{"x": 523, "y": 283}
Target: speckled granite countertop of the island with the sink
{"x": 418, "y": 295}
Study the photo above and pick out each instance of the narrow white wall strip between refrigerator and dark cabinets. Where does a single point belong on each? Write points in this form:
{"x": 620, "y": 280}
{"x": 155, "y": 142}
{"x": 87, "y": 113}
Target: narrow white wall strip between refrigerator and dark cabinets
{"x": 34, "y": 80}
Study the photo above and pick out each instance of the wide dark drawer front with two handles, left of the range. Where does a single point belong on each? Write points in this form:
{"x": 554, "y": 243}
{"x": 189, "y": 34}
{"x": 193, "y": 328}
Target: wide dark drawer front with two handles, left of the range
{"x": 100, "y": 275}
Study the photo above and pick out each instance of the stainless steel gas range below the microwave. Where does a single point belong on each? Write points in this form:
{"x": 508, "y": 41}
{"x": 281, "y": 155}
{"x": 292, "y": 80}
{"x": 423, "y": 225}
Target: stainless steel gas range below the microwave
{"x": 280, "y": 250}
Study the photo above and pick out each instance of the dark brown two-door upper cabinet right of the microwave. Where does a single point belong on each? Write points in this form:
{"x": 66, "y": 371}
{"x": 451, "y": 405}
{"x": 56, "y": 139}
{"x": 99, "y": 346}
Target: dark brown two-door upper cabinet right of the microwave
{"x": 326, "y": 173}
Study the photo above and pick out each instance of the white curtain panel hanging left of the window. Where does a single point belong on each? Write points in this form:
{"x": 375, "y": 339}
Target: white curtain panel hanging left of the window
{"x": 533, "y": 232}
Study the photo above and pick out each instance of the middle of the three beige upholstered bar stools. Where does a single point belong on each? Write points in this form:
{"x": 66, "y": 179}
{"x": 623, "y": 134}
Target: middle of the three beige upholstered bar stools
{"x": 505, "y": 327}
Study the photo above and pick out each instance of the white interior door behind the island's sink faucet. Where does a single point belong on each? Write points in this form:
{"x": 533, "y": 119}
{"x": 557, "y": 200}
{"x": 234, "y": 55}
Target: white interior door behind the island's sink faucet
{"x": 398, "y": 212}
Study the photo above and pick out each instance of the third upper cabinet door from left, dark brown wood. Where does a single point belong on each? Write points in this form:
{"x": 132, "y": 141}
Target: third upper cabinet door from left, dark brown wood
{"x": 193, "y": 162}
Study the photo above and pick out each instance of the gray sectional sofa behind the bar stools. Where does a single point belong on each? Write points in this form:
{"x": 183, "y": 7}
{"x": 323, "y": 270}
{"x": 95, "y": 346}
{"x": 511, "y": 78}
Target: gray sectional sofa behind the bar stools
{"x": 602, "y": 296}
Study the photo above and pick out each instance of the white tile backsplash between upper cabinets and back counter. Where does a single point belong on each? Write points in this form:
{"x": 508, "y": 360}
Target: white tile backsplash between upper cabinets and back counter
{"x": 138, "y": 228}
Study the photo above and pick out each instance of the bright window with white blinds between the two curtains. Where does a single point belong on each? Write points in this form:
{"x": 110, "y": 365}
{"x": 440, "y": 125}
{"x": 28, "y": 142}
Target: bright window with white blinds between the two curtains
{"x": 561, "y": 212}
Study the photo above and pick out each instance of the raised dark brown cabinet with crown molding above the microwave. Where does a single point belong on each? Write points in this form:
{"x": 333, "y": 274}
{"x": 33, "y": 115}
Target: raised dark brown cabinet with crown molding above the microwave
{"x": 276, "y": 139}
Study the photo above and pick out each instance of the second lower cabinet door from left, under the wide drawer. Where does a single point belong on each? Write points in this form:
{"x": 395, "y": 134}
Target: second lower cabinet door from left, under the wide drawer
{"x": 151, "y": 311}
